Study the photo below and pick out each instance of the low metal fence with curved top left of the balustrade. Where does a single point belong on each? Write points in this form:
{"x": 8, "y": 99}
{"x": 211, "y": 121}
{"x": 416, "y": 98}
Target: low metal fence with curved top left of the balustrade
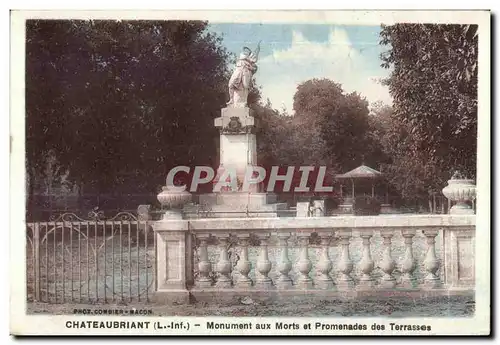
{"x": 92, "y": 260}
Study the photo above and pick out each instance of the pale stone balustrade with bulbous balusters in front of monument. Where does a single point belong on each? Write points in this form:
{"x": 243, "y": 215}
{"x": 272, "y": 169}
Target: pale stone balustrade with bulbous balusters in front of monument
{"x": 414, "y": 255}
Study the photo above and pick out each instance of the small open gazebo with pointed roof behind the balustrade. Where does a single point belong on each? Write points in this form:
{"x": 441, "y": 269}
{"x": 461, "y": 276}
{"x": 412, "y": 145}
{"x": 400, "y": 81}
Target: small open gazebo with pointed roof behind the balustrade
{"x": 362, "y": 174}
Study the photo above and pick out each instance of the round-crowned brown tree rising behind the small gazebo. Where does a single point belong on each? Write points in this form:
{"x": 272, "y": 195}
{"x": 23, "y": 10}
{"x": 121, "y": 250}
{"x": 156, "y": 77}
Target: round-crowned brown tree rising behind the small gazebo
{"x": 337, "y": 124}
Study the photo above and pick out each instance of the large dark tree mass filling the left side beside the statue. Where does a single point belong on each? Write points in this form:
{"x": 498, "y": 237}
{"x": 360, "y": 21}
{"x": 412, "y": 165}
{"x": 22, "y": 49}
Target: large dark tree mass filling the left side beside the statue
{"x": 121, "y": 102}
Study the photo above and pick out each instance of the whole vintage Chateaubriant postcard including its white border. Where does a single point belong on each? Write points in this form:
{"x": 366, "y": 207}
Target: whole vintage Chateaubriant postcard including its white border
{"x": 250, "y": 173}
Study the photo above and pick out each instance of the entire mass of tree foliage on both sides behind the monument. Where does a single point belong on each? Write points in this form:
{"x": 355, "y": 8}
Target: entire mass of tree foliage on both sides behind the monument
{"x": 111, "y": 106}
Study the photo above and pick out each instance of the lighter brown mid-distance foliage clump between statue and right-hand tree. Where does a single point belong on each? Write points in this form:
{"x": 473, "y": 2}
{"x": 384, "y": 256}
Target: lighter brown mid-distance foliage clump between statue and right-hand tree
{"x": 330, "y": 128}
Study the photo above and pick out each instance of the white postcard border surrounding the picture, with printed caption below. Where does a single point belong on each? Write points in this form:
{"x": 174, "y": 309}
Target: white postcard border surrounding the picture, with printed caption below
{"x": 45, "y": 324}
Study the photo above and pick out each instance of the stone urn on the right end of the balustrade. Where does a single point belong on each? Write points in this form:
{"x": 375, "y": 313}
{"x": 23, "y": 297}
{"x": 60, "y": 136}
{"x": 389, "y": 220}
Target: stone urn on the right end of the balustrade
{"x": 462, "y": 191}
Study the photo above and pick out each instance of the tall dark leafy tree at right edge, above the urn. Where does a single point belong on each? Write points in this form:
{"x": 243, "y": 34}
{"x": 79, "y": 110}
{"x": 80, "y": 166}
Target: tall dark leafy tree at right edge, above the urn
{"x": 433, "y": 82}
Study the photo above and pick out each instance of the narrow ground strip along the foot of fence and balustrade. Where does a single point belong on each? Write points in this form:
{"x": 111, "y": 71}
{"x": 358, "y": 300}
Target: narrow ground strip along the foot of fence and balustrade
{"x": 457, "y": 306}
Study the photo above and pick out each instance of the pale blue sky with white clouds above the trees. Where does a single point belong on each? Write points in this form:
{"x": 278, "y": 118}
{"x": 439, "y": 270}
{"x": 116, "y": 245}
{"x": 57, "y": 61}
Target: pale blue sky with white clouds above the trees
{"x": 291, "y": 54}
